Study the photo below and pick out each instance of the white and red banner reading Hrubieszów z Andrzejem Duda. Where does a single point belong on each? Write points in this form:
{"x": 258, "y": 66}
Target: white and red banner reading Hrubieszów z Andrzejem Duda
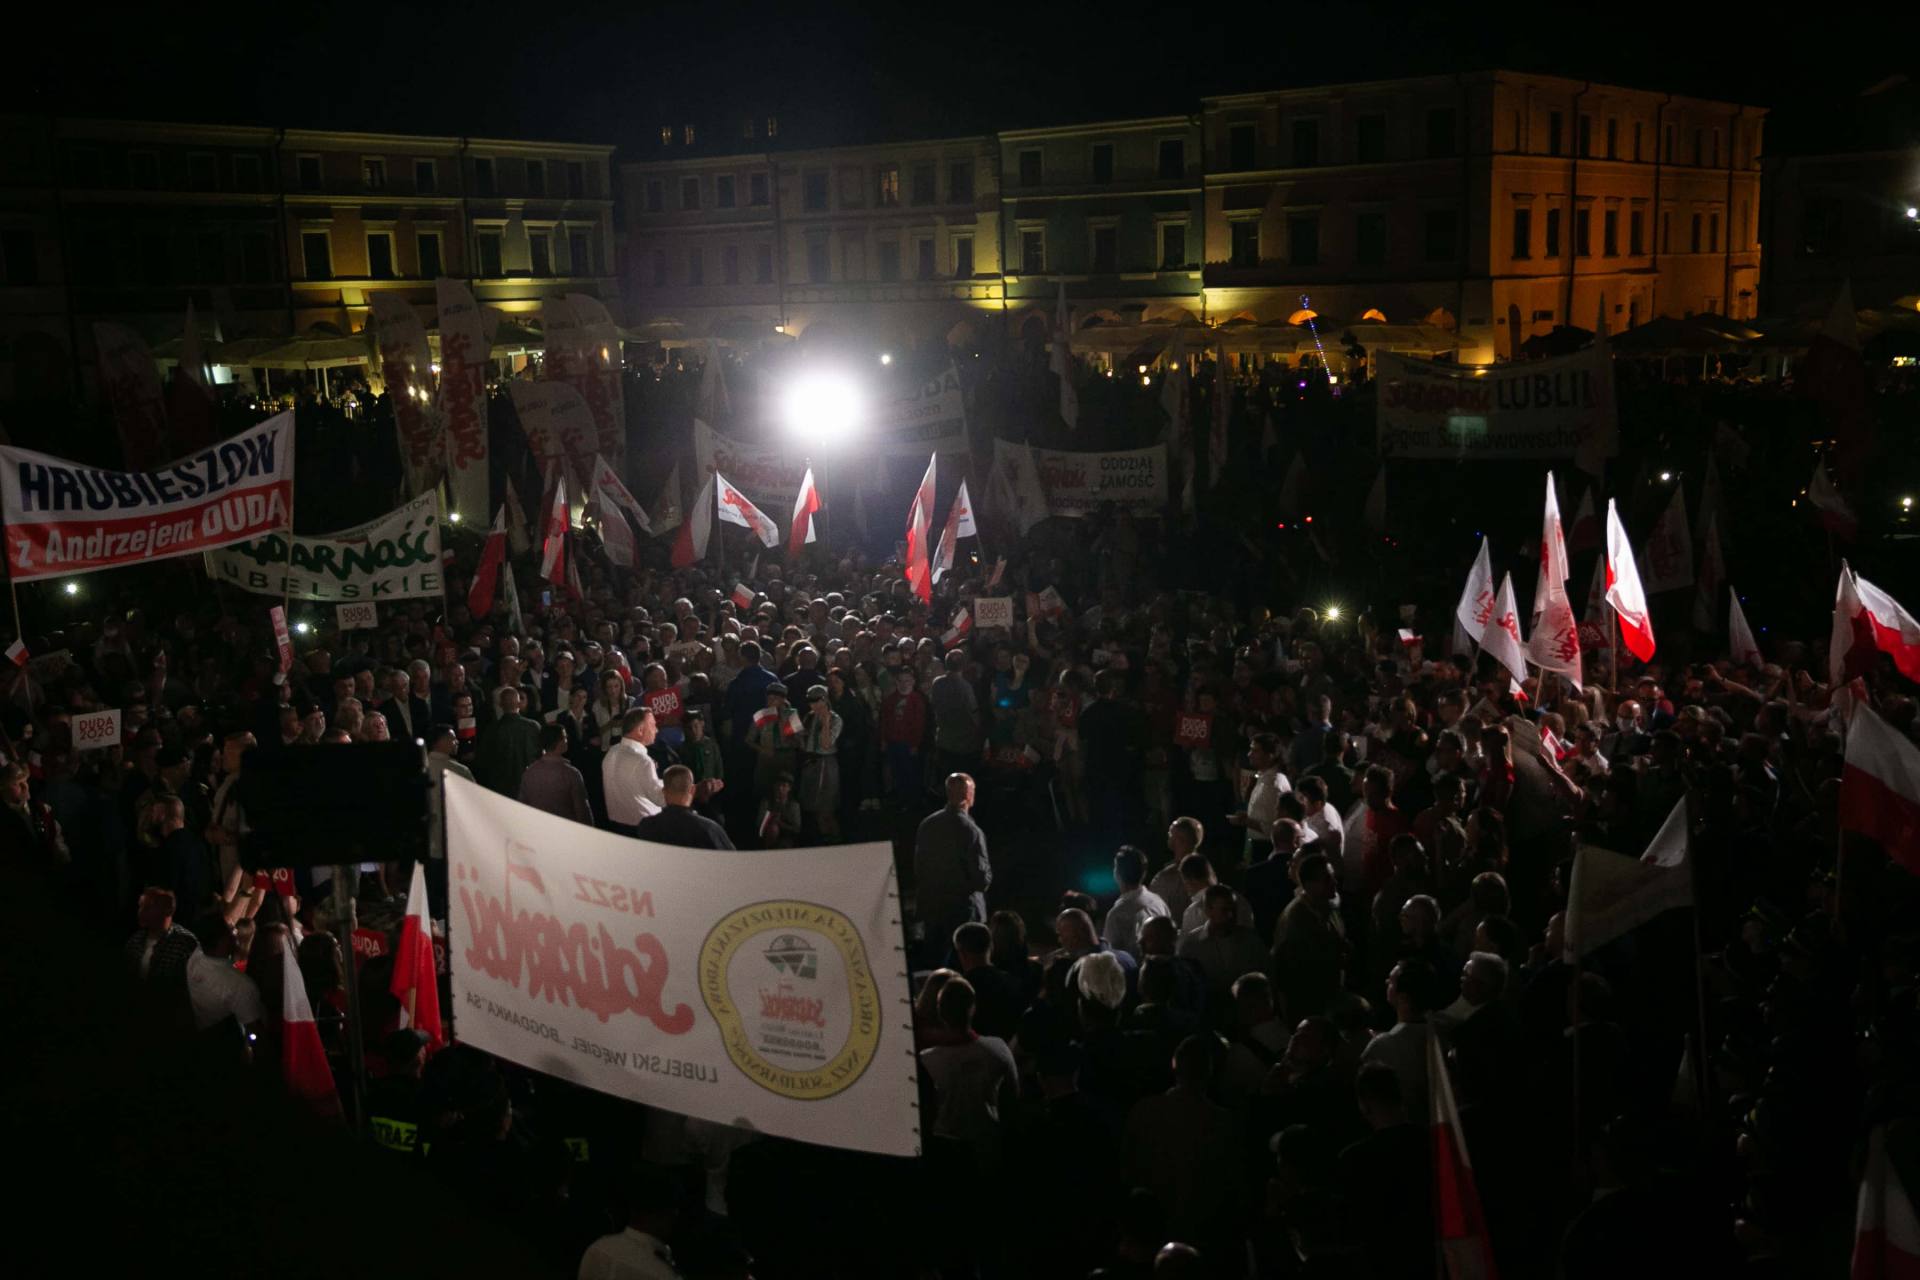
{"x": 70, "y": 519}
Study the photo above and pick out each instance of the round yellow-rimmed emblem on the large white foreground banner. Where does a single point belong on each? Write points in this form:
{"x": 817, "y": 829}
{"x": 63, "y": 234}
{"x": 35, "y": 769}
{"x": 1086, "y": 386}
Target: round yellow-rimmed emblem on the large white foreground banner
{"x": 796, "y": 997}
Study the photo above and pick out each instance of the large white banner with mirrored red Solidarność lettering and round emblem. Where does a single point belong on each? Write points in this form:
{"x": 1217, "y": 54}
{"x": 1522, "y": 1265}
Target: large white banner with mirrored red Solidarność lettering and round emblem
{"x": 756, "y": 989}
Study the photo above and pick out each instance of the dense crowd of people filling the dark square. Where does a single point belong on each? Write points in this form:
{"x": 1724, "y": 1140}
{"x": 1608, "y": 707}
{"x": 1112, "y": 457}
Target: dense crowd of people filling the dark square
{"x": 1195, "y": 880}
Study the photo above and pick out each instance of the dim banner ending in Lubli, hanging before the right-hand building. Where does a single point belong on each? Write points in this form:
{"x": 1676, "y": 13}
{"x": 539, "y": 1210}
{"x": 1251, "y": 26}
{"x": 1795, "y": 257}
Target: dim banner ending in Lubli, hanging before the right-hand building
{"x": 1533, "y": 410}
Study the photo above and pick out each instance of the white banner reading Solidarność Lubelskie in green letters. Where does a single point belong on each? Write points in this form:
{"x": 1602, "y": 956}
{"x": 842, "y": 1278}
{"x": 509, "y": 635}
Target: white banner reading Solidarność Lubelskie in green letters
{"x": 391, "y": 559}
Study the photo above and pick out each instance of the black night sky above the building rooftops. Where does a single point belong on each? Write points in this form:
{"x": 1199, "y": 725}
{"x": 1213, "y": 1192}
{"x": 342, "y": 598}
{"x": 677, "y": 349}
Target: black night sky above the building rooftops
{"x": 615, "y": 74}
